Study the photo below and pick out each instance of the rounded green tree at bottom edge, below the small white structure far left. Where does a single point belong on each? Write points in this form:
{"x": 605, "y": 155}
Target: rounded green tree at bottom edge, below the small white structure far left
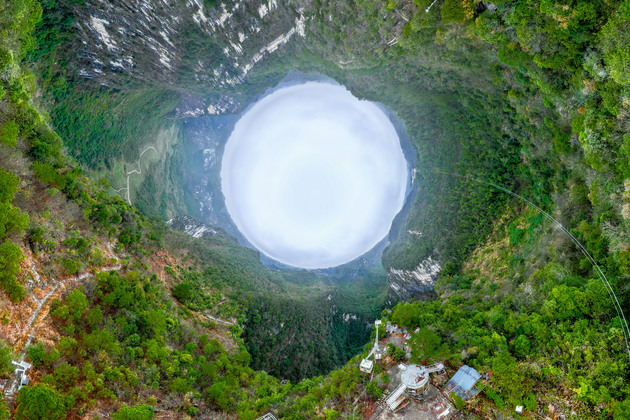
{"x": 39, "y": 402}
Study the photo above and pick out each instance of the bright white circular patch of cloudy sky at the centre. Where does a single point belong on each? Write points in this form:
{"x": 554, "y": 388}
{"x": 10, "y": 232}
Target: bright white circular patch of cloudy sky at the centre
{"x": 313, "y": 176}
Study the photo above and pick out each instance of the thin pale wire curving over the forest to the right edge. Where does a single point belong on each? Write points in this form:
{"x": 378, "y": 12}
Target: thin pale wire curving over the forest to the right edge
{"x": 600, "y": 273}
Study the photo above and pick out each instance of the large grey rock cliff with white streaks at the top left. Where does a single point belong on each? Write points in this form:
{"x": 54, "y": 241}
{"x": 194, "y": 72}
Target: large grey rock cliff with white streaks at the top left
{"x": 180, "y": 43}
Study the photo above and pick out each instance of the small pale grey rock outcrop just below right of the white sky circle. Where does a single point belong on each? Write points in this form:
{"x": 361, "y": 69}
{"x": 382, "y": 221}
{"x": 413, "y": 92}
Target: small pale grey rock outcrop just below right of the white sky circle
{"x": 413, "y": 284}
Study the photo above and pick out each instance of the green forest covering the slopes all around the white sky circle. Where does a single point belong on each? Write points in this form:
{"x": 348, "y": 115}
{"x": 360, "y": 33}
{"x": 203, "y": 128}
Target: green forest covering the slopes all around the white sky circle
{"x": 131, "y": 319}
